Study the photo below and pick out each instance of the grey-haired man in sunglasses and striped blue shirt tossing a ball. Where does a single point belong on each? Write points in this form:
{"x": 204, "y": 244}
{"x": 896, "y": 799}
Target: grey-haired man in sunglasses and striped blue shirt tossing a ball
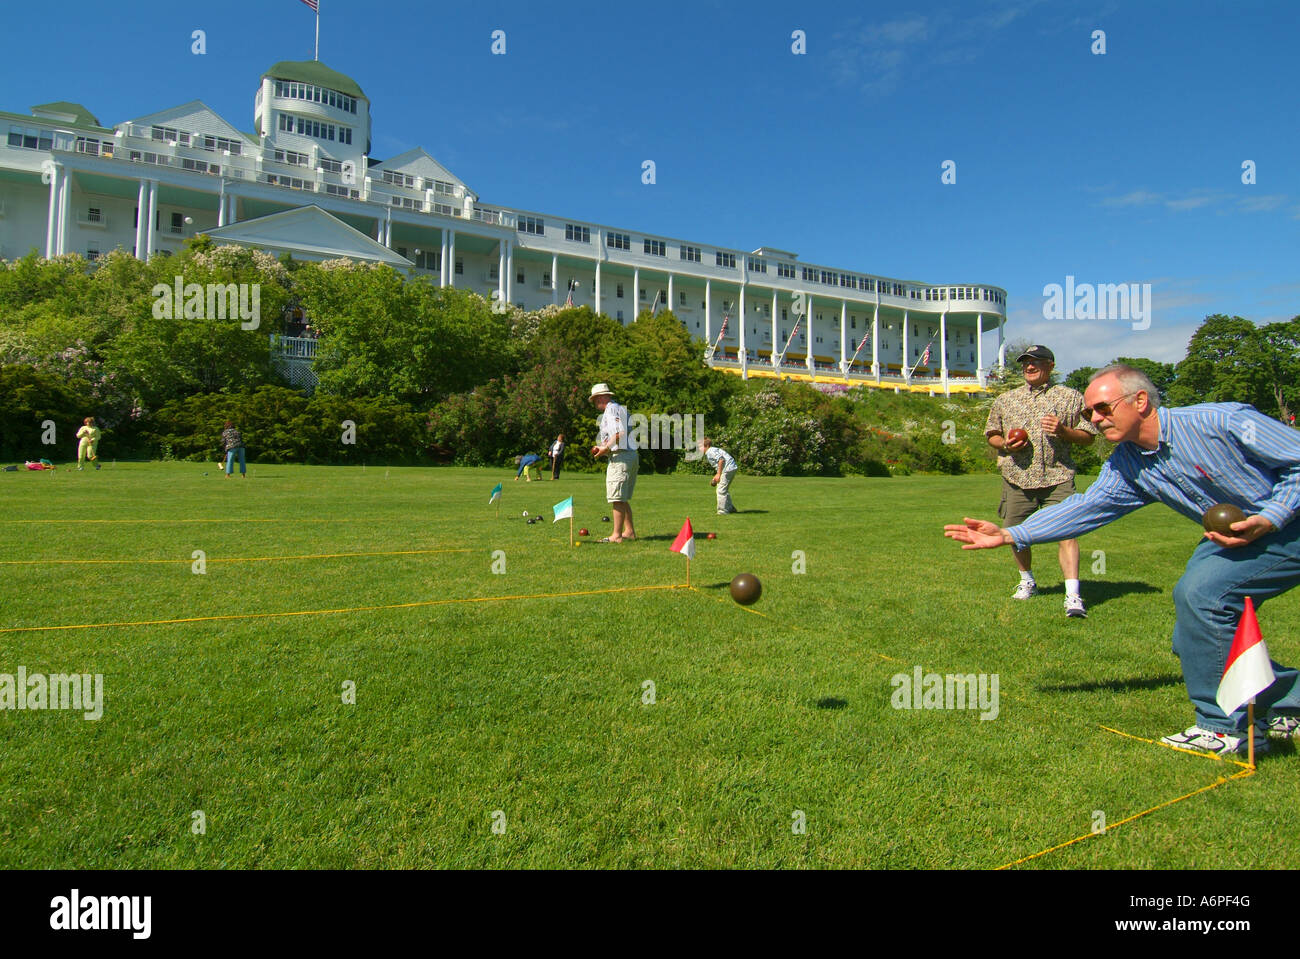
{"x": 1191, "y": 459}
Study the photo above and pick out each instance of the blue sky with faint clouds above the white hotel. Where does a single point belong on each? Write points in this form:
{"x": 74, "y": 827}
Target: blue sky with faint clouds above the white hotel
{"x": 1121, "y": 168}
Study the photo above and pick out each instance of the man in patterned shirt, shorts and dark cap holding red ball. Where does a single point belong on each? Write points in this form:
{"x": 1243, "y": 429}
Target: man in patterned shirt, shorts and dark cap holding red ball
{"x": 1039, "y": 472}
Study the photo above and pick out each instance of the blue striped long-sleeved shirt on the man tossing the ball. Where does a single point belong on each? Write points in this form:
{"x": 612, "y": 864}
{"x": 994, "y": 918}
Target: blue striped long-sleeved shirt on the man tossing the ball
{"x": 1208, "y": 454}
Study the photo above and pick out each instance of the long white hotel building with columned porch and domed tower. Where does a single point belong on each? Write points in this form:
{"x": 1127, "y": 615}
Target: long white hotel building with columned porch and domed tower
{"x": 304, "y": 183}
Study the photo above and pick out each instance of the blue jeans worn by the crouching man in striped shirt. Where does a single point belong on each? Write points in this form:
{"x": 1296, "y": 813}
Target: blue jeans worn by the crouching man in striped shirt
{"x": 1210, "y": 600}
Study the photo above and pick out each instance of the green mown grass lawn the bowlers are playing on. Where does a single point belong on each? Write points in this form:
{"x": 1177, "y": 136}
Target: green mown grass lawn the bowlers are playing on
{"x": 532, "y": 706}
